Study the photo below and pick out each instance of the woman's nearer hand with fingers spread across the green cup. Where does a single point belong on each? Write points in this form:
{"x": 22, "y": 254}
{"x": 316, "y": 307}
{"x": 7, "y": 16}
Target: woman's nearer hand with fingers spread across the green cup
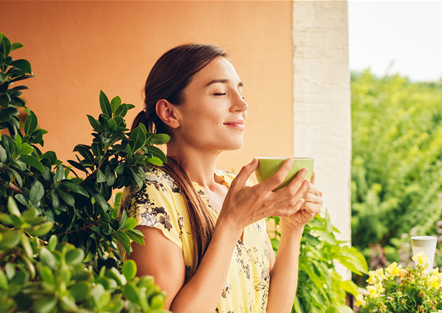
{"x": 245, "y": 205}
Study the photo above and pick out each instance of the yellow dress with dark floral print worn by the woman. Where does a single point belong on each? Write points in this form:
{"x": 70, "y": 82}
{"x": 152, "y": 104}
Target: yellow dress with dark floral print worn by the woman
{"x": 160, "y": 204}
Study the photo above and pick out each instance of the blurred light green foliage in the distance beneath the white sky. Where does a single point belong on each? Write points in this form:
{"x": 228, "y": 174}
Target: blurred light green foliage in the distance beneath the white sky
{"x": 397, "y": 159}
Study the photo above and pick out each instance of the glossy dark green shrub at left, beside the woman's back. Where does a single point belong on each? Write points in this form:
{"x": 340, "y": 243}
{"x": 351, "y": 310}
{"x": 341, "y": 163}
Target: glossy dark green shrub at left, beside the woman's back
{"x": 58, "y": 231}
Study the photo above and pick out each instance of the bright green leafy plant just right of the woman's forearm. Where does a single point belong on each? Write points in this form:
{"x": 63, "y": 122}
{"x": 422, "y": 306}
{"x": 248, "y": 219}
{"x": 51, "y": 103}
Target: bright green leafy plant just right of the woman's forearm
{"x": 320, "y": 287}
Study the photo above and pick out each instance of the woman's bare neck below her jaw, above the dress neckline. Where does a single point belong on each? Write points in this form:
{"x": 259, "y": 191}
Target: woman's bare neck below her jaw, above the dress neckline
{"x": 198, "y": 164}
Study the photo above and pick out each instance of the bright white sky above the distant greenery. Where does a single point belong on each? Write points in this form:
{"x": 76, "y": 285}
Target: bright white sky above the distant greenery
{"x": 402, "y": 37}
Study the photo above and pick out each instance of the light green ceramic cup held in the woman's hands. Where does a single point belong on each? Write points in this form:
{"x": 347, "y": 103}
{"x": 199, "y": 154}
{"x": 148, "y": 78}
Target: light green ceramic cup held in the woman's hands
{"x": 268, "y": 166}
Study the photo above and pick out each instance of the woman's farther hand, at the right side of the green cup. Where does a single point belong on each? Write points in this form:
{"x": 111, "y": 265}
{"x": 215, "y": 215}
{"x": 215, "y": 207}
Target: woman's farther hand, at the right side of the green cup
{"x": 309, "y": 209}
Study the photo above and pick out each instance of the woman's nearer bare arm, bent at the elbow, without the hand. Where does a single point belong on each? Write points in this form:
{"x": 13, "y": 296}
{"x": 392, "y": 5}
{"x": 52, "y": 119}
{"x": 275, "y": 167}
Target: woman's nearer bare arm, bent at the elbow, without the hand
{"x": 164, "y": 260}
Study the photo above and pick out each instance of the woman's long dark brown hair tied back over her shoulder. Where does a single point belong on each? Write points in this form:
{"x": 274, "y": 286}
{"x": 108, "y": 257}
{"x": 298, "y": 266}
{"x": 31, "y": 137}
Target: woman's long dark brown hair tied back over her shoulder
{"x": 168, "y": 78}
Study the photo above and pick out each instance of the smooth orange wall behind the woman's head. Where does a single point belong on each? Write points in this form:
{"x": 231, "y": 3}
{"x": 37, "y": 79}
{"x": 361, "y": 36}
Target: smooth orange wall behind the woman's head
{"x": 79, "y": 48}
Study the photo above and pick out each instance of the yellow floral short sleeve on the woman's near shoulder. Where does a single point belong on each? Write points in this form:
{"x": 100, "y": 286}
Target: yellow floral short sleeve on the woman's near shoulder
{"x": 158, "y": 204}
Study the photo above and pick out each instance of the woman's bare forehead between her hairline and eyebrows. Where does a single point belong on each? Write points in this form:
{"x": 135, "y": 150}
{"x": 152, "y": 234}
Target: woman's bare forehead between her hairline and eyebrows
{"x": 219, "y": 68}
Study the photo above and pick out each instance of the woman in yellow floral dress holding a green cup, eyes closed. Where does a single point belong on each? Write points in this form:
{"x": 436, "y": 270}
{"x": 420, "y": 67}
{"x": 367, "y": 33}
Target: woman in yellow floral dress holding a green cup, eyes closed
{"x": 205, "y": 238}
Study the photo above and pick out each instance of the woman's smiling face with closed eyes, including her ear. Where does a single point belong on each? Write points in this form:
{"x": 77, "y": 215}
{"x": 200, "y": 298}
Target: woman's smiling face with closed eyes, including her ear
{"x": 214, "y": 111}
